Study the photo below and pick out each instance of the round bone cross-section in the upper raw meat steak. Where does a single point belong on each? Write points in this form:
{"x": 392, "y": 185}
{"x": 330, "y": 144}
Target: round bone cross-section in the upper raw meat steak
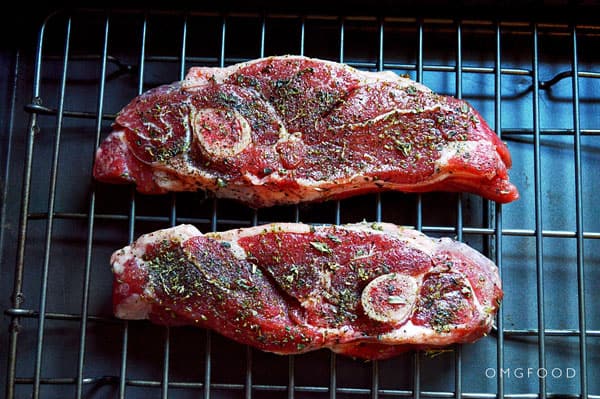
{"x": 221, "y": 133}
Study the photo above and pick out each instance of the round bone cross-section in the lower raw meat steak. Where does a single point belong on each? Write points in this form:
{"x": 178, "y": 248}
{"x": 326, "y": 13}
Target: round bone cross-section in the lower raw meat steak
{"x": 390, "y": 298}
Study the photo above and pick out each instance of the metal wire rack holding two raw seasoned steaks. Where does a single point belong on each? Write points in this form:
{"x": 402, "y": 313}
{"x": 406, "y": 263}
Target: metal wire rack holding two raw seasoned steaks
{"x": 536, "y": 83}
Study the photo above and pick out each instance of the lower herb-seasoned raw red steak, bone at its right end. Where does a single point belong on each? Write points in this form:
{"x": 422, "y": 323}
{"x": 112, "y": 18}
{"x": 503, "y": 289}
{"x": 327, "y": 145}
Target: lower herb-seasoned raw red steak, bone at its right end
{"x": 363, "y": 290}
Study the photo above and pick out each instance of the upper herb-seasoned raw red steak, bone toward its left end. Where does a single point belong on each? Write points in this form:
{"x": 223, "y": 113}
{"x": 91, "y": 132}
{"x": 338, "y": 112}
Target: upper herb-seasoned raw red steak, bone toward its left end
{"x": 285, "y": 130}
